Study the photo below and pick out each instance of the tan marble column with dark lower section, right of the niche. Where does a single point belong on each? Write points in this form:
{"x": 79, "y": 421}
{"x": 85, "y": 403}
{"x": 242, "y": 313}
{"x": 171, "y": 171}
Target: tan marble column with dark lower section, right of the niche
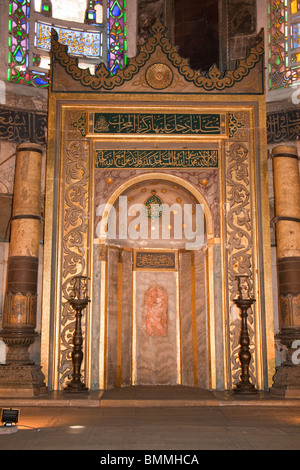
{"x": 287, "y": 211}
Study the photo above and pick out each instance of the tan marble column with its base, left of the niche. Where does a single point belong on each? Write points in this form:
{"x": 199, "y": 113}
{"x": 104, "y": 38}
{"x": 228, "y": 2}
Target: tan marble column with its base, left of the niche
{"x": 20, "y": 376}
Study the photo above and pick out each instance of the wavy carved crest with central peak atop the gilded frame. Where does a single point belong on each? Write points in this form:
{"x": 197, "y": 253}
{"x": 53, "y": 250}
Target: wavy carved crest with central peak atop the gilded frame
{"x": 213, "y": 80}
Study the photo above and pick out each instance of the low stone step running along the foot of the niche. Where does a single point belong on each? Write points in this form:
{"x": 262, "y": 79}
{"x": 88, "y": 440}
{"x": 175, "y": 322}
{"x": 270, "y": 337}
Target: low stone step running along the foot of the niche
{"x": 148, "y": 396}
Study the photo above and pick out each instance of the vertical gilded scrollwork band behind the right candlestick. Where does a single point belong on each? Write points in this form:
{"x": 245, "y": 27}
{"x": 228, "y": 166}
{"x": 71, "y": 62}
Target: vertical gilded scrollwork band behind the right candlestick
{"x": 239, "y": 245}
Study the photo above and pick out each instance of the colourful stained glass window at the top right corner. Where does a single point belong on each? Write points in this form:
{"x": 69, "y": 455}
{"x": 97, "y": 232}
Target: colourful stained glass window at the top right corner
{"x": 284, "y": 43}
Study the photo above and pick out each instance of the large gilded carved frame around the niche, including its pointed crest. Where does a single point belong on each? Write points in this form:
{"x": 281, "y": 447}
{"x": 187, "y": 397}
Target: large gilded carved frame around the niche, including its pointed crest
{"x": 202, "y": 94}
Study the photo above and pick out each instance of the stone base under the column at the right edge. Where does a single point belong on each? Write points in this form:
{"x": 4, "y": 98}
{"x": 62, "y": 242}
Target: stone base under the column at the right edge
{"x": 286, "y": 381}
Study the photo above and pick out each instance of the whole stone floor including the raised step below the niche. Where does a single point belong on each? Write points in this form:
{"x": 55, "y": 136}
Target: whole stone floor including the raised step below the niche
{"x": 179, "y": 420}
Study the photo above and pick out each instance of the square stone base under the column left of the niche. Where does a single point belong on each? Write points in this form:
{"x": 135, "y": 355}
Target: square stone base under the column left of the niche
{"x": 17, "y": 380}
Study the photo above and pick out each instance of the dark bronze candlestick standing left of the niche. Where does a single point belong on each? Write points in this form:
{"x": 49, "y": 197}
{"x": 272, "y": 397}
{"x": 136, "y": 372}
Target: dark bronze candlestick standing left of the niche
{"x": 78, "y": 301}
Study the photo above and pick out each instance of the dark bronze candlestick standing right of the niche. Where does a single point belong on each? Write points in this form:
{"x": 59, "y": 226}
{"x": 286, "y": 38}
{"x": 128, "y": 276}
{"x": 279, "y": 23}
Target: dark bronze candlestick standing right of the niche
{"x": 244, "y": 302}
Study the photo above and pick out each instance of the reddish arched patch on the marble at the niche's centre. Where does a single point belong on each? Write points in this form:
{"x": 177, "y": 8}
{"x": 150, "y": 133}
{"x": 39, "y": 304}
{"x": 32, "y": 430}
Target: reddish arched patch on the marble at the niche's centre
{"x": 156, "y": 302}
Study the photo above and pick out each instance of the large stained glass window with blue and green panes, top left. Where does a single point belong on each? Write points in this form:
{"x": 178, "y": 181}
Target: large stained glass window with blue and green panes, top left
{"x": 98, "y": 36}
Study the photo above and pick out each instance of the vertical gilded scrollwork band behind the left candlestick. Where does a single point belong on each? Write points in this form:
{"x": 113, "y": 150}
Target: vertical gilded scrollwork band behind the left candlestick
{"x": 74, "y": 243}
